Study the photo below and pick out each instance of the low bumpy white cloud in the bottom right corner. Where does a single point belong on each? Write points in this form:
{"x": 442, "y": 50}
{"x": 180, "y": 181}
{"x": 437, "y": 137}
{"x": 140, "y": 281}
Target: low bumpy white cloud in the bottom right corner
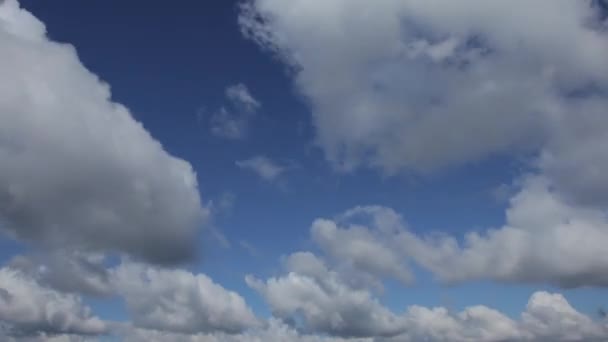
{"x": 548, "y": 317}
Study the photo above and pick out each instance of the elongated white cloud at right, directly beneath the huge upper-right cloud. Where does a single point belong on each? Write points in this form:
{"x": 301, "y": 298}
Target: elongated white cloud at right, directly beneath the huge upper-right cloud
{"x": 539, "y": 243}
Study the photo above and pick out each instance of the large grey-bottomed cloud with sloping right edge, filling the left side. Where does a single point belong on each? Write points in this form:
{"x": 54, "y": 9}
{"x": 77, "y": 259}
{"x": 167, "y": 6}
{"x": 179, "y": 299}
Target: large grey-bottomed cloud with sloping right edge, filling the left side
{"x": 77, "y": 168}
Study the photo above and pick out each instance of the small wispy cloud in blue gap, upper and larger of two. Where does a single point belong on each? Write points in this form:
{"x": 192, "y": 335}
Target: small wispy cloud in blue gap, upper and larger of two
{"x": 233, "y": 120}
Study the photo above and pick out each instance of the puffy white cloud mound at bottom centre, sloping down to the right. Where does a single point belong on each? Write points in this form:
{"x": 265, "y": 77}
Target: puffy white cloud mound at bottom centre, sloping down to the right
{"x": 315, "y": 299}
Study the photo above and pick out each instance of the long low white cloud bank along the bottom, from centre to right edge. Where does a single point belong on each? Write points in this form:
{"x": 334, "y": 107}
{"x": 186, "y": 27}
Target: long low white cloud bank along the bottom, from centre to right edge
{"x": 314, "y": 299}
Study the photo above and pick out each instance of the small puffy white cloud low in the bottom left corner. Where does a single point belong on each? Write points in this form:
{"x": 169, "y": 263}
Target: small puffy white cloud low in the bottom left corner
{"x": 29, "y": 309}
